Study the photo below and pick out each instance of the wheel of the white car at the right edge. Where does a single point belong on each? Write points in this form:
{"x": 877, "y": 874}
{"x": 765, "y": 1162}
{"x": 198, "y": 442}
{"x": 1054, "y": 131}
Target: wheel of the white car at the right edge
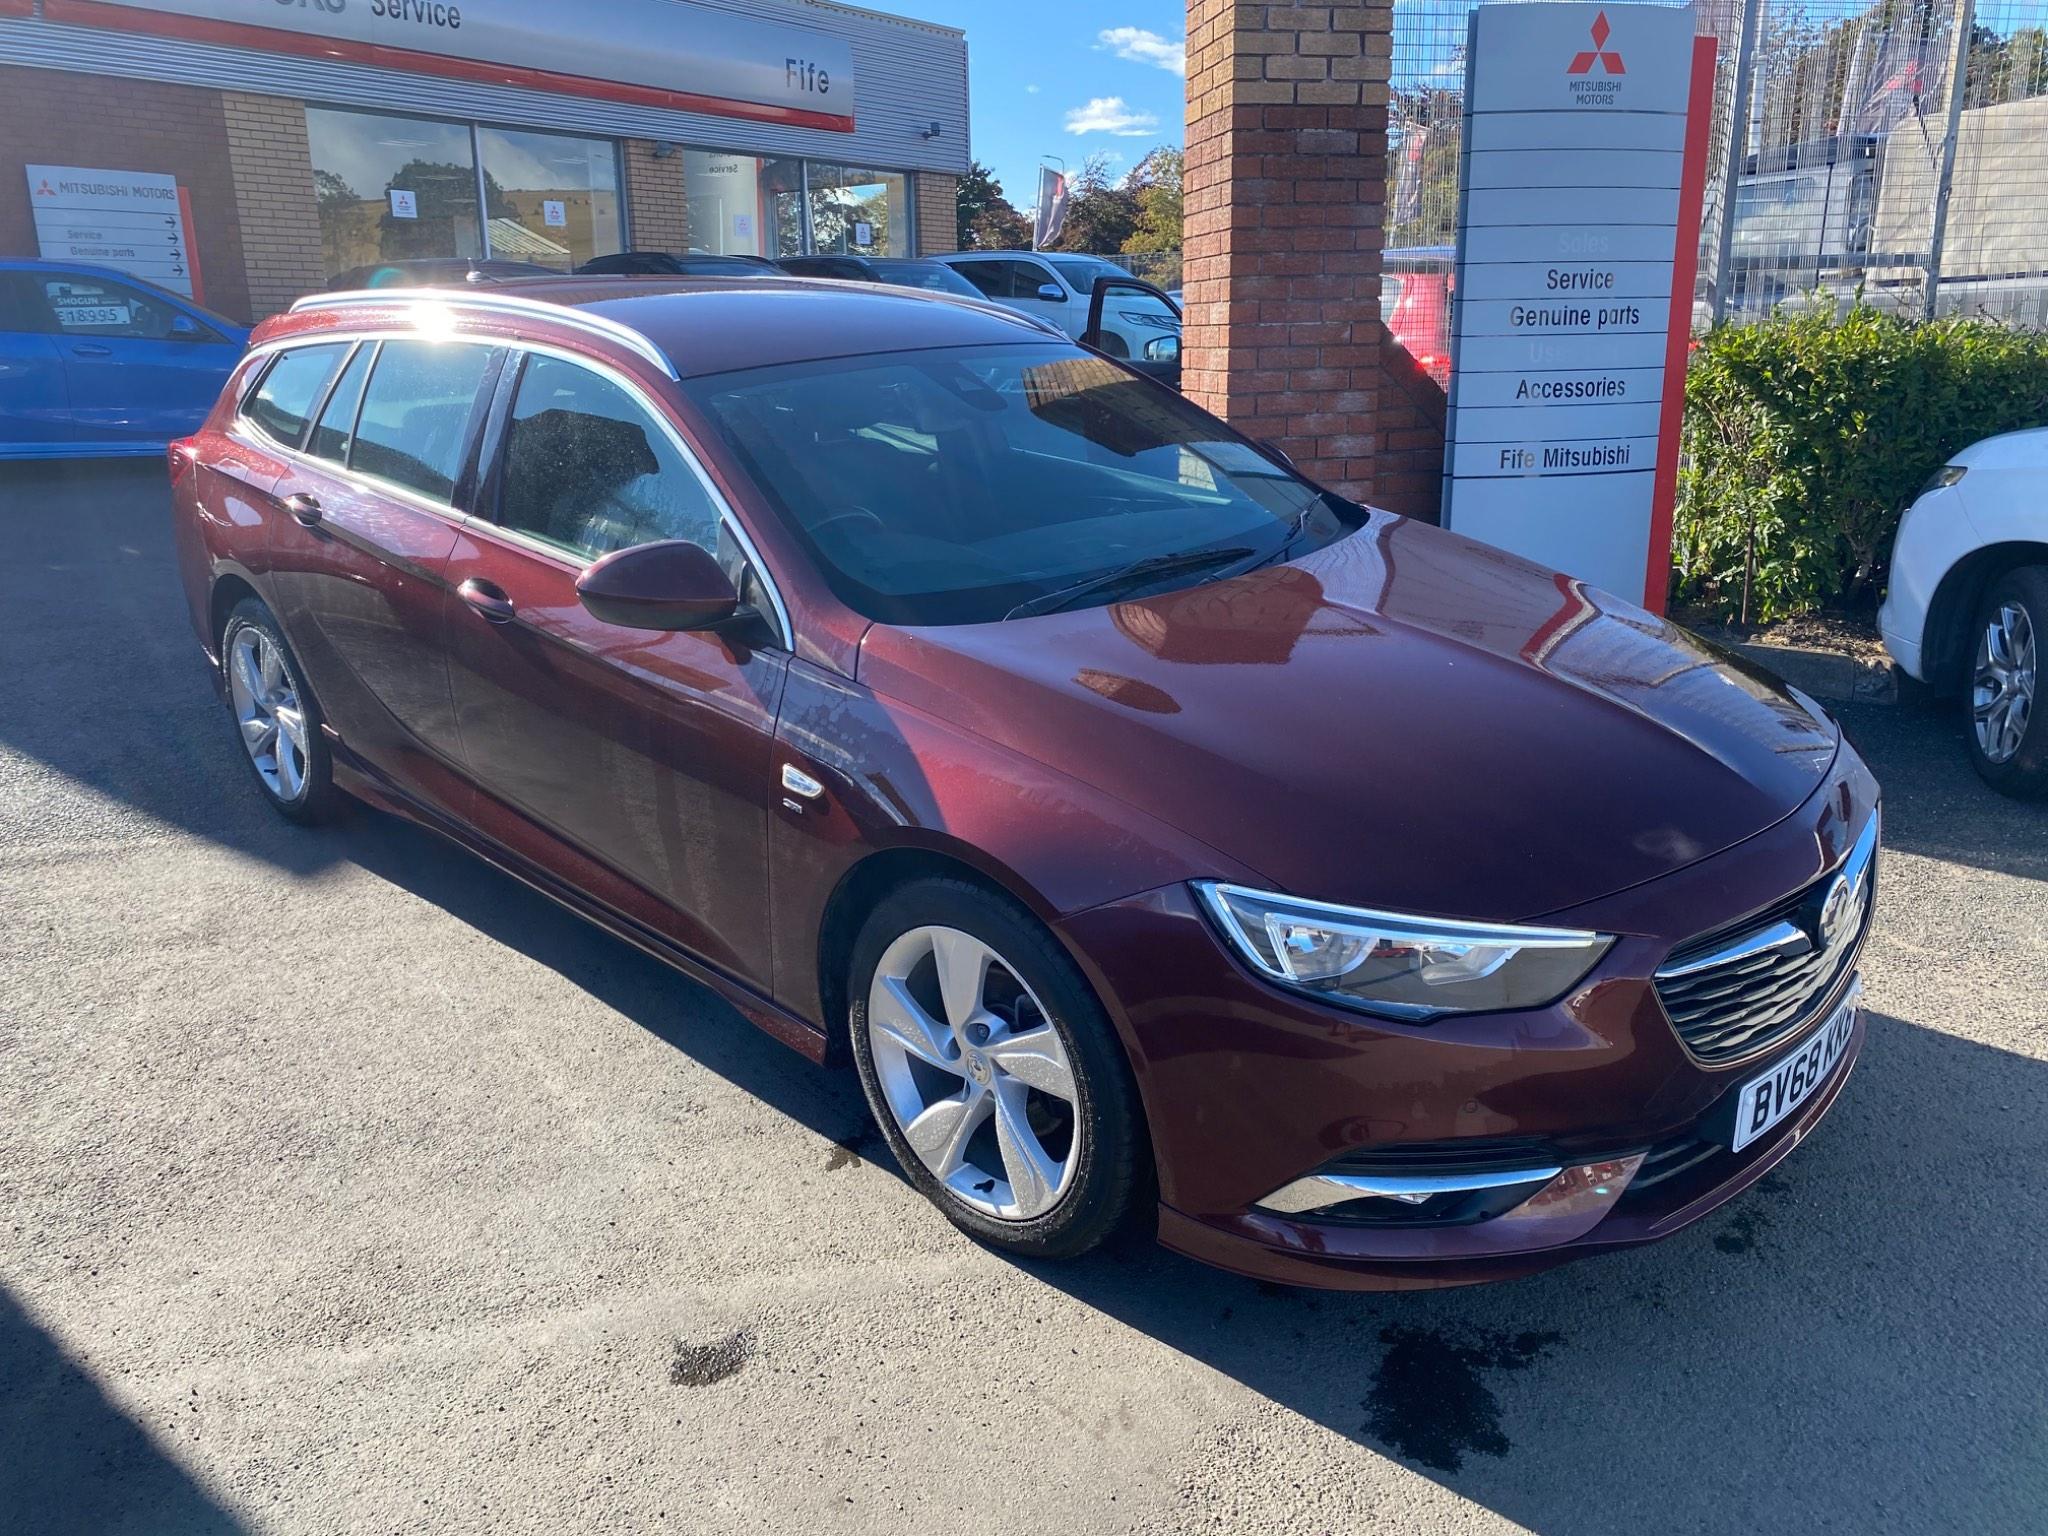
{"x": 2008, "y": 740}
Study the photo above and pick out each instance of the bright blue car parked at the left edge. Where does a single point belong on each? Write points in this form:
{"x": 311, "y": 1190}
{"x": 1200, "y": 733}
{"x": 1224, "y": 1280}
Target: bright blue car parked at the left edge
{"x": 97, "y": 364}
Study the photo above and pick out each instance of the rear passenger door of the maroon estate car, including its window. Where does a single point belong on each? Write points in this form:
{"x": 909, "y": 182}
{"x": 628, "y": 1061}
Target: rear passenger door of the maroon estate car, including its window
{"x": 364, "y": 523}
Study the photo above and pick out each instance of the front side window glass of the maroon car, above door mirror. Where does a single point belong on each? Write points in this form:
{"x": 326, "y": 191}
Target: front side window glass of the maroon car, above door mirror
{"x": 591, "y": 472}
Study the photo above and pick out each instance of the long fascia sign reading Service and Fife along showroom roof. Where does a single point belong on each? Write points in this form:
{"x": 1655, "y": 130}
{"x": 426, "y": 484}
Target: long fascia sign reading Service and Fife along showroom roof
{"x": 640, "y": 52}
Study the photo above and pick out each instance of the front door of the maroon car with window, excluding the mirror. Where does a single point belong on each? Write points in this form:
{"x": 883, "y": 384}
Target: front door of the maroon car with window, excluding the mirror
{"x": 648, "y": 755}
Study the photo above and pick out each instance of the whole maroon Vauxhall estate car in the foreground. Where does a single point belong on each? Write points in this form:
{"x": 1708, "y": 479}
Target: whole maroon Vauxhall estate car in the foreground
{"x": 1160, "y": 835}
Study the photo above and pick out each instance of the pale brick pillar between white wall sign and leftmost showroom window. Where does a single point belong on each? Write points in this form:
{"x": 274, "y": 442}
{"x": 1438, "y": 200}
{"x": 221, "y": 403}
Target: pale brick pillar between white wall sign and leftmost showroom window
{"x": 273, "y": 200}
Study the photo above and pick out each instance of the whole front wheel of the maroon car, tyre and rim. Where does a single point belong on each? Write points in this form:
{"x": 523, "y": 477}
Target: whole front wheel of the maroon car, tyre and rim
{"x": 994, "y": 1072}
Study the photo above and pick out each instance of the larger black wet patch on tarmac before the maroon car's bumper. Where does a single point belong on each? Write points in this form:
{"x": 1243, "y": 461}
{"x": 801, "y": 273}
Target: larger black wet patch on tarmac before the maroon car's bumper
{"x": 1428, "y": 1402}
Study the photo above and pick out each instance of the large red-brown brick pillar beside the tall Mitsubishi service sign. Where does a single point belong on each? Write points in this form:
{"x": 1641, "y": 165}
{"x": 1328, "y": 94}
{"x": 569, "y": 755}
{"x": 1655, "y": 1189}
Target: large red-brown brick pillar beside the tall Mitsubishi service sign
{"x": 1285, "y": 210}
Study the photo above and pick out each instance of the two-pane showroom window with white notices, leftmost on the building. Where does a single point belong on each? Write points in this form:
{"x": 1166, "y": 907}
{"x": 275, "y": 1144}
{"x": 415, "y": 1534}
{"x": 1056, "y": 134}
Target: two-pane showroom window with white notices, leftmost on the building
{"x": 396, "y": 189}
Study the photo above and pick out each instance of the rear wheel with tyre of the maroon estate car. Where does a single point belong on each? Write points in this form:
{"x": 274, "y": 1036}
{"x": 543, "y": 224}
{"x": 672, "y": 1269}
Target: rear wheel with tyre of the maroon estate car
{"x": 275, "y": 718}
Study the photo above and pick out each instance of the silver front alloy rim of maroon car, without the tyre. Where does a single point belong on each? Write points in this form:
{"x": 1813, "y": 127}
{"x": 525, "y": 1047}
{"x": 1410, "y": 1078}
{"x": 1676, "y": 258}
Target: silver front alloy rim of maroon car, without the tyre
{"x": 974, "y": 1072}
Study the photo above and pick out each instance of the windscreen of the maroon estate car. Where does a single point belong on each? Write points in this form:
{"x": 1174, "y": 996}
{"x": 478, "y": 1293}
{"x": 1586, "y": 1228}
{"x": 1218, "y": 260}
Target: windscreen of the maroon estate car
{"x": 951, "y": 486}
